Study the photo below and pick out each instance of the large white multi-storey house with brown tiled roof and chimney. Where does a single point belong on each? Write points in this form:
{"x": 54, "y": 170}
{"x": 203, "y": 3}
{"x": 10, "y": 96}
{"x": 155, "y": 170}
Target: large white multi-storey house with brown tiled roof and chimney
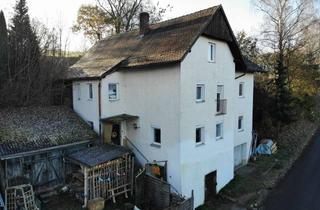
{"x": 178, "y": 91}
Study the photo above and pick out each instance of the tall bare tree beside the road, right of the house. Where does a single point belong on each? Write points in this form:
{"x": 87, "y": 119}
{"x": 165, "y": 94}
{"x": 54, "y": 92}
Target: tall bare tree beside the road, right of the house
{"x": 283, "y": 33}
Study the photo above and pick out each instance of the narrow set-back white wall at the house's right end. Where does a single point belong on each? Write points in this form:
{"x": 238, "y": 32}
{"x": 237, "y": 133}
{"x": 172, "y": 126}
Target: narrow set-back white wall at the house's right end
{"x": 244, "y": 107}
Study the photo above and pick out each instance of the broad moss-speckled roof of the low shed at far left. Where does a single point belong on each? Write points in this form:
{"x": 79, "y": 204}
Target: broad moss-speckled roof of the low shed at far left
{"x": 33, "y": 128}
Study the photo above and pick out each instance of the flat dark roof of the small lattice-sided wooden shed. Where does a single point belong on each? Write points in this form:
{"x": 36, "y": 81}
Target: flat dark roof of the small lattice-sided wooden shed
{"x": 98, "y": 154}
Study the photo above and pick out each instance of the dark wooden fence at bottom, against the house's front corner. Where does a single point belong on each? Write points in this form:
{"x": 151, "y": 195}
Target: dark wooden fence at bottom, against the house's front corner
{"x": 152, "y": 193}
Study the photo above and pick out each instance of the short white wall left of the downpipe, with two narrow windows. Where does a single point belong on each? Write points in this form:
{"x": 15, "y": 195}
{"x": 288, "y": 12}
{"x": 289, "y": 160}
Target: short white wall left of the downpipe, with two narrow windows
{"x": 86, "y": 108}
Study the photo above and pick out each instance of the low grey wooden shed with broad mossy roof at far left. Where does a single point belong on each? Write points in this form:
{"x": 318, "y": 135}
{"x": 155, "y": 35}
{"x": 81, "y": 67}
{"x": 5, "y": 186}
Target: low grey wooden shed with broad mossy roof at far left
{"x": 34, "y": 141}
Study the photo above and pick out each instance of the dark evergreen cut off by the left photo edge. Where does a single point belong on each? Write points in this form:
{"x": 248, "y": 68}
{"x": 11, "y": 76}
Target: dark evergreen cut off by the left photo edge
{"x": 3, "y": 50}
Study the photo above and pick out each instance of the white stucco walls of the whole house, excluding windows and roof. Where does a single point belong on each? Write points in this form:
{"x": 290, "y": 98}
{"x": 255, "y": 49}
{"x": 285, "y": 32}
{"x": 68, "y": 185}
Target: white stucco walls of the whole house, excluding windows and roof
{"x": 165, "y": 97}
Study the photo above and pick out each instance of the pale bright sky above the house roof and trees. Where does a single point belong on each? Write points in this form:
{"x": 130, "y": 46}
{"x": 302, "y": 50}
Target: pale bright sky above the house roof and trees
{"x": 241, "y": 14}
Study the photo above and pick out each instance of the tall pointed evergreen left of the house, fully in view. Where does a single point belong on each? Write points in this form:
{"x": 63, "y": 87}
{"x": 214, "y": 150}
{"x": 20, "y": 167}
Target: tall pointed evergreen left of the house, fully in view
{"x": 24, "y": 52}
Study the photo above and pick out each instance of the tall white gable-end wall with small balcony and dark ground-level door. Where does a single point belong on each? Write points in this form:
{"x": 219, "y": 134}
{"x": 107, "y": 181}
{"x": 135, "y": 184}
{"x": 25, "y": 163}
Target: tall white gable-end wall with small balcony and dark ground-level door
{"x": 199, "y": 160}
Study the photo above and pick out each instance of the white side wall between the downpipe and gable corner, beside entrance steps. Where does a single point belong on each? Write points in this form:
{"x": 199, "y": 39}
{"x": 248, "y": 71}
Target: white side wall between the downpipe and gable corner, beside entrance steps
{"x": 153, "y": 95}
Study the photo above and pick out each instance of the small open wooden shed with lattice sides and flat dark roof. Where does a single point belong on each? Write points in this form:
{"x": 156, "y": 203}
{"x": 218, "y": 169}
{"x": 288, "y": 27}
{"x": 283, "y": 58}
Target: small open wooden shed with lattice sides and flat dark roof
{"x": 106, "y": 171}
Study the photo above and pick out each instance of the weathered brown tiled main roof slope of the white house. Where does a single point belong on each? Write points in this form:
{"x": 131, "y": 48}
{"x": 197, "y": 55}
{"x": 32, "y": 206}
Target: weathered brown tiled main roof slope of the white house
{"x": 166, "y": 42}
